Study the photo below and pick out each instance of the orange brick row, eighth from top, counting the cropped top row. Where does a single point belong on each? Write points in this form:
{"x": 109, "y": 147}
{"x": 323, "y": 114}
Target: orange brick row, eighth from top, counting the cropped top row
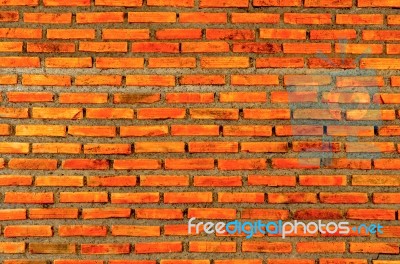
{"x": 206, "y": 113}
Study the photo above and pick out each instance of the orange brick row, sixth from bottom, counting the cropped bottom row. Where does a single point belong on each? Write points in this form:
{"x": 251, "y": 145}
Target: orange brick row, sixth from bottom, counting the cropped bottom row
{"x": 199, "y": 181}
